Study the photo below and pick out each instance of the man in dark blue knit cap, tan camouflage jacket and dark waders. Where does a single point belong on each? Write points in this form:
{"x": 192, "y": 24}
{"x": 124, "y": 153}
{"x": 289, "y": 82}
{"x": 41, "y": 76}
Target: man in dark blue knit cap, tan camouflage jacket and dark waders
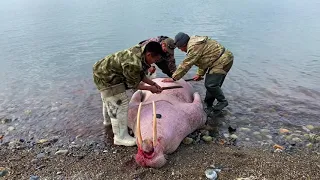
{"x": 213, "y": 59}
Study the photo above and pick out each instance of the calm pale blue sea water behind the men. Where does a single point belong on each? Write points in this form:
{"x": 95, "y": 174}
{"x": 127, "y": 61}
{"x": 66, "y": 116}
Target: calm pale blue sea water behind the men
{"x": 48, "y": 49}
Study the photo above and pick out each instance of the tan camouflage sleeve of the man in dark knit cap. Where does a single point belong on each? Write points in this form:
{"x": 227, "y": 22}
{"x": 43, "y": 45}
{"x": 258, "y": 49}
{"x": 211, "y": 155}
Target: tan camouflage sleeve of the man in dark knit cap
{"x": 186, "y": 65}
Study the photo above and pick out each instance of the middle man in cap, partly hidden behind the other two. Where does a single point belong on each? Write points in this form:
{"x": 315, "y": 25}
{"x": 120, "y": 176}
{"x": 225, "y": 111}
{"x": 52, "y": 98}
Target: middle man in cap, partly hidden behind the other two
{"x": 167, "y": 62}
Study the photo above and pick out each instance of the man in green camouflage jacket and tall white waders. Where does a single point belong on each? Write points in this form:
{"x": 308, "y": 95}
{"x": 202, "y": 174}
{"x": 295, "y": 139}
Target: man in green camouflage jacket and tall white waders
{"x": 115, "y": 74}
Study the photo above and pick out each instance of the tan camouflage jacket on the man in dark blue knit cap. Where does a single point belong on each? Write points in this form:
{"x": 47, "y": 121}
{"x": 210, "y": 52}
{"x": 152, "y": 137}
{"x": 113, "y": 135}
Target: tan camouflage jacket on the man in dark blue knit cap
{"x": 204, "y": 53}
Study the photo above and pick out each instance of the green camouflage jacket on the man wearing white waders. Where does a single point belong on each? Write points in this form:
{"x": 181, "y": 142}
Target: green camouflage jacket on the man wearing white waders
{"x": 127, "y": 66}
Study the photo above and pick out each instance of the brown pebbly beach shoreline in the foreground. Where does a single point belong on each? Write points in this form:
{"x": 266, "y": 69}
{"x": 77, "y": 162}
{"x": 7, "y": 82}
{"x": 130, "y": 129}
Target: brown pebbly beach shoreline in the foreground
{"x": 94, "y": 160}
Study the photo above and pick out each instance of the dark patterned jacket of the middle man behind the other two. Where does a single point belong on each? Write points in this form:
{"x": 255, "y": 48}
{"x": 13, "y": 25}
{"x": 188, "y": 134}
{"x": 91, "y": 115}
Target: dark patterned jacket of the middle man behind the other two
{"x": 167, "y": 63}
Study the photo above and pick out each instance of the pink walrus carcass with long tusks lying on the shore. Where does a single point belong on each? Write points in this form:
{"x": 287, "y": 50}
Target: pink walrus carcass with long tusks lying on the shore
{"x": 165, "y": 120}
